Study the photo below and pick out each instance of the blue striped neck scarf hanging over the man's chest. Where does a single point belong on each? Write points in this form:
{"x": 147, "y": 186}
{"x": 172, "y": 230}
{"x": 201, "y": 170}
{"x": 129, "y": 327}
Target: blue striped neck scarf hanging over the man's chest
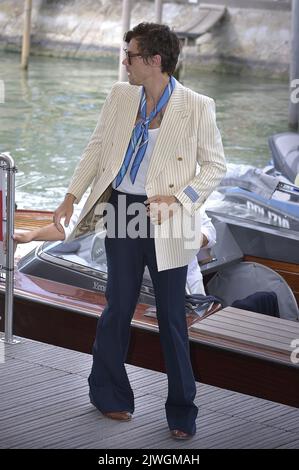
{"x": 139, "y": 140}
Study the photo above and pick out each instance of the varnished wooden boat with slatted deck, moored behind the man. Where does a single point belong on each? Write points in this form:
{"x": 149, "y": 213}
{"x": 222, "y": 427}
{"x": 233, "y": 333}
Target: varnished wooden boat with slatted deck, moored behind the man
{"x": 234, "y": 349}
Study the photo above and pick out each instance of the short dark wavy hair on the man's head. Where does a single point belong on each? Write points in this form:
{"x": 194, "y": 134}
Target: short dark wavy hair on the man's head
{"x": 154, "y": 38}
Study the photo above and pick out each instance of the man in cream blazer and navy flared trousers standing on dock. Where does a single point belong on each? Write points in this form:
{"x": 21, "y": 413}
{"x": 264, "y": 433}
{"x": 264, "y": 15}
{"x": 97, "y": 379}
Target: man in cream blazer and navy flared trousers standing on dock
{"x": 144, "y": 150}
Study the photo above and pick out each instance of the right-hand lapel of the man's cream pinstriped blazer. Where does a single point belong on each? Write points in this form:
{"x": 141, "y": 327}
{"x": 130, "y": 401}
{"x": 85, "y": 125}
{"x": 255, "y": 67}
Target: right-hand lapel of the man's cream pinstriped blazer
{"x": 171, "y": 132}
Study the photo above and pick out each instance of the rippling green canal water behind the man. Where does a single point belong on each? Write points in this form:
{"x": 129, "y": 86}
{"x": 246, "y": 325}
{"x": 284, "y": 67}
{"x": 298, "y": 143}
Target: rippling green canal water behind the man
{"x": 50, "y": 112}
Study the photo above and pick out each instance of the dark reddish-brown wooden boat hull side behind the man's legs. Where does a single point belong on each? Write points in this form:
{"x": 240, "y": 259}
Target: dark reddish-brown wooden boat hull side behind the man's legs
{"x": 216, "y": 362}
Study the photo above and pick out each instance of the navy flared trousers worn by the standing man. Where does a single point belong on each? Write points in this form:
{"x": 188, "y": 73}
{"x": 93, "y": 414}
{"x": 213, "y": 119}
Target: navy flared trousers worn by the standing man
{"x": 110, "y": 388}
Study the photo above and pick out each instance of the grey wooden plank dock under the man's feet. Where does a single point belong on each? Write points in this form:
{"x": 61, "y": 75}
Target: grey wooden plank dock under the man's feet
{"x": 44, "y": 404}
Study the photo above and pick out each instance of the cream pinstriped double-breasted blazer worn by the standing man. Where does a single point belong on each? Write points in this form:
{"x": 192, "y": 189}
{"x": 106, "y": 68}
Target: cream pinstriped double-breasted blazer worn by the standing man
{"x": 188, "y": 135}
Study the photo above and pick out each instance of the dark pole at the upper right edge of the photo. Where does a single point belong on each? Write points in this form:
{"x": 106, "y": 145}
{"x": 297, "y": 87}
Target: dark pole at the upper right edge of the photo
{"x": 294, "y": 68}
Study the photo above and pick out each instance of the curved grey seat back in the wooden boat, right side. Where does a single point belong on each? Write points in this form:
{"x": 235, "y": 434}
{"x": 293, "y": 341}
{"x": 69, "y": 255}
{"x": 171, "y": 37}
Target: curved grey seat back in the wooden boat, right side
{"x": 245, "y": 278}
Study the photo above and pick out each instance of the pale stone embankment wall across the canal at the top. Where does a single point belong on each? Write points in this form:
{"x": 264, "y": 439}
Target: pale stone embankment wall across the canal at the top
{"x": 246, "y": 41}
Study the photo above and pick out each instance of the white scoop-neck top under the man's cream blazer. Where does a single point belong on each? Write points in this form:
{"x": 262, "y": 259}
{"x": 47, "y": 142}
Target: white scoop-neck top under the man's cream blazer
{"x": 126, "y": 186}
